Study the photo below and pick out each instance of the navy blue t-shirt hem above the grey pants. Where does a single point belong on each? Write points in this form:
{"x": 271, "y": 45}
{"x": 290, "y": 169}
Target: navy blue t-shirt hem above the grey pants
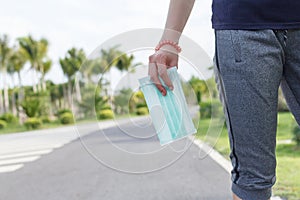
{"x": 256, "y": 14}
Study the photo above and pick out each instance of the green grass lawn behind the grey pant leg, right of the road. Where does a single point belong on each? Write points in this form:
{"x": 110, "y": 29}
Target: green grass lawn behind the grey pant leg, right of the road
{"x": 288, "y": 155}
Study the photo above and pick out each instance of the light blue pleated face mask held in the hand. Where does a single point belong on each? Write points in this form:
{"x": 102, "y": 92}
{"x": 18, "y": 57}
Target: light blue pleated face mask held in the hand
{"x": 169, "y": 114}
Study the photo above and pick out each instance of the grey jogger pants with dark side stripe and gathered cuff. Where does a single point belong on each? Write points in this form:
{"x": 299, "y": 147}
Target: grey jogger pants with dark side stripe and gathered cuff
{"x": 250, "y": 65}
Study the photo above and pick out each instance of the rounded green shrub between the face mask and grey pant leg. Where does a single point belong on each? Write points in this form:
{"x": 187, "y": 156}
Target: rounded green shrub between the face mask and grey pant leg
{"x": 206, "y": 109}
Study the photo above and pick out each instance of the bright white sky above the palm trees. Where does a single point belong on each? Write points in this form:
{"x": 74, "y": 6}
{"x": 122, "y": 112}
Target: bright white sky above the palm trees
{"x": 90, "y": 23}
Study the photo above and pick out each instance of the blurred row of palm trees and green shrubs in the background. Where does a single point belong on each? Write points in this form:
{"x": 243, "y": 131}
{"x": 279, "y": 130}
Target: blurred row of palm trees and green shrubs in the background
{"x": 85, "y": 94}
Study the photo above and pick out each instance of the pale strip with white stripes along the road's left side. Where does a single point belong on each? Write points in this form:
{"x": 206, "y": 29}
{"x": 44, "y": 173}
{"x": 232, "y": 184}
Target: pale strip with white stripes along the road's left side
{"x": 17, "y": 149}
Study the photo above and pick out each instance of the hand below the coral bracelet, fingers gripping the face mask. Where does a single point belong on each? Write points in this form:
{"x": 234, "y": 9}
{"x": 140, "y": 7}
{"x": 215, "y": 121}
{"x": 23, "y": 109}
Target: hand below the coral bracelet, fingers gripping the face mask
{"x": 159, "y": 62}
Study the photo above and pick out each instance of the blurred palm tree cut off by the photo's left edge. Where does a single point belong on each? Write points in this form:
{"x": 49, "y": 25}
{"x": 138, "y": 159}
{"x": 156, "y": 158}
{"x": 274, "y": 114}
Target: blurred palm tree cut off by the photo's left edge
{"x": 4, "y": 57}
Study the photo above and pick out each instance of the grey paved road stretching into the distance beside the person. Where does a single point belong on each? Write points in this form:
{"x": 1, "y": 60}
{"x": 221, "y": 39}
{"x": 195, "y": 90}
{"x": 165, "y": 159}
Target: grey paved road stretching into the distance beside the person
{"x": 91, "y": 168}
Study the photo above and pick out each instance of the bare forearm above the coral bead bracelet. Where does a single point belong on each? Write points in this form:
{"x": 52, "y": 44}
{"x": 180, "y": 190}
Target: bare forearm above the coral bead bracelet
{"x": 179, "y": 12}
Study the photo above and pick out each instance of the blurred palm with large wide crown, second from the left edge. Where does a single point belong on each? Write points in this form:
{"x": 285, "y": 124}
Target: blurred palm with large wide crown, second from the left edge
{"x": 35, "y": 52}
